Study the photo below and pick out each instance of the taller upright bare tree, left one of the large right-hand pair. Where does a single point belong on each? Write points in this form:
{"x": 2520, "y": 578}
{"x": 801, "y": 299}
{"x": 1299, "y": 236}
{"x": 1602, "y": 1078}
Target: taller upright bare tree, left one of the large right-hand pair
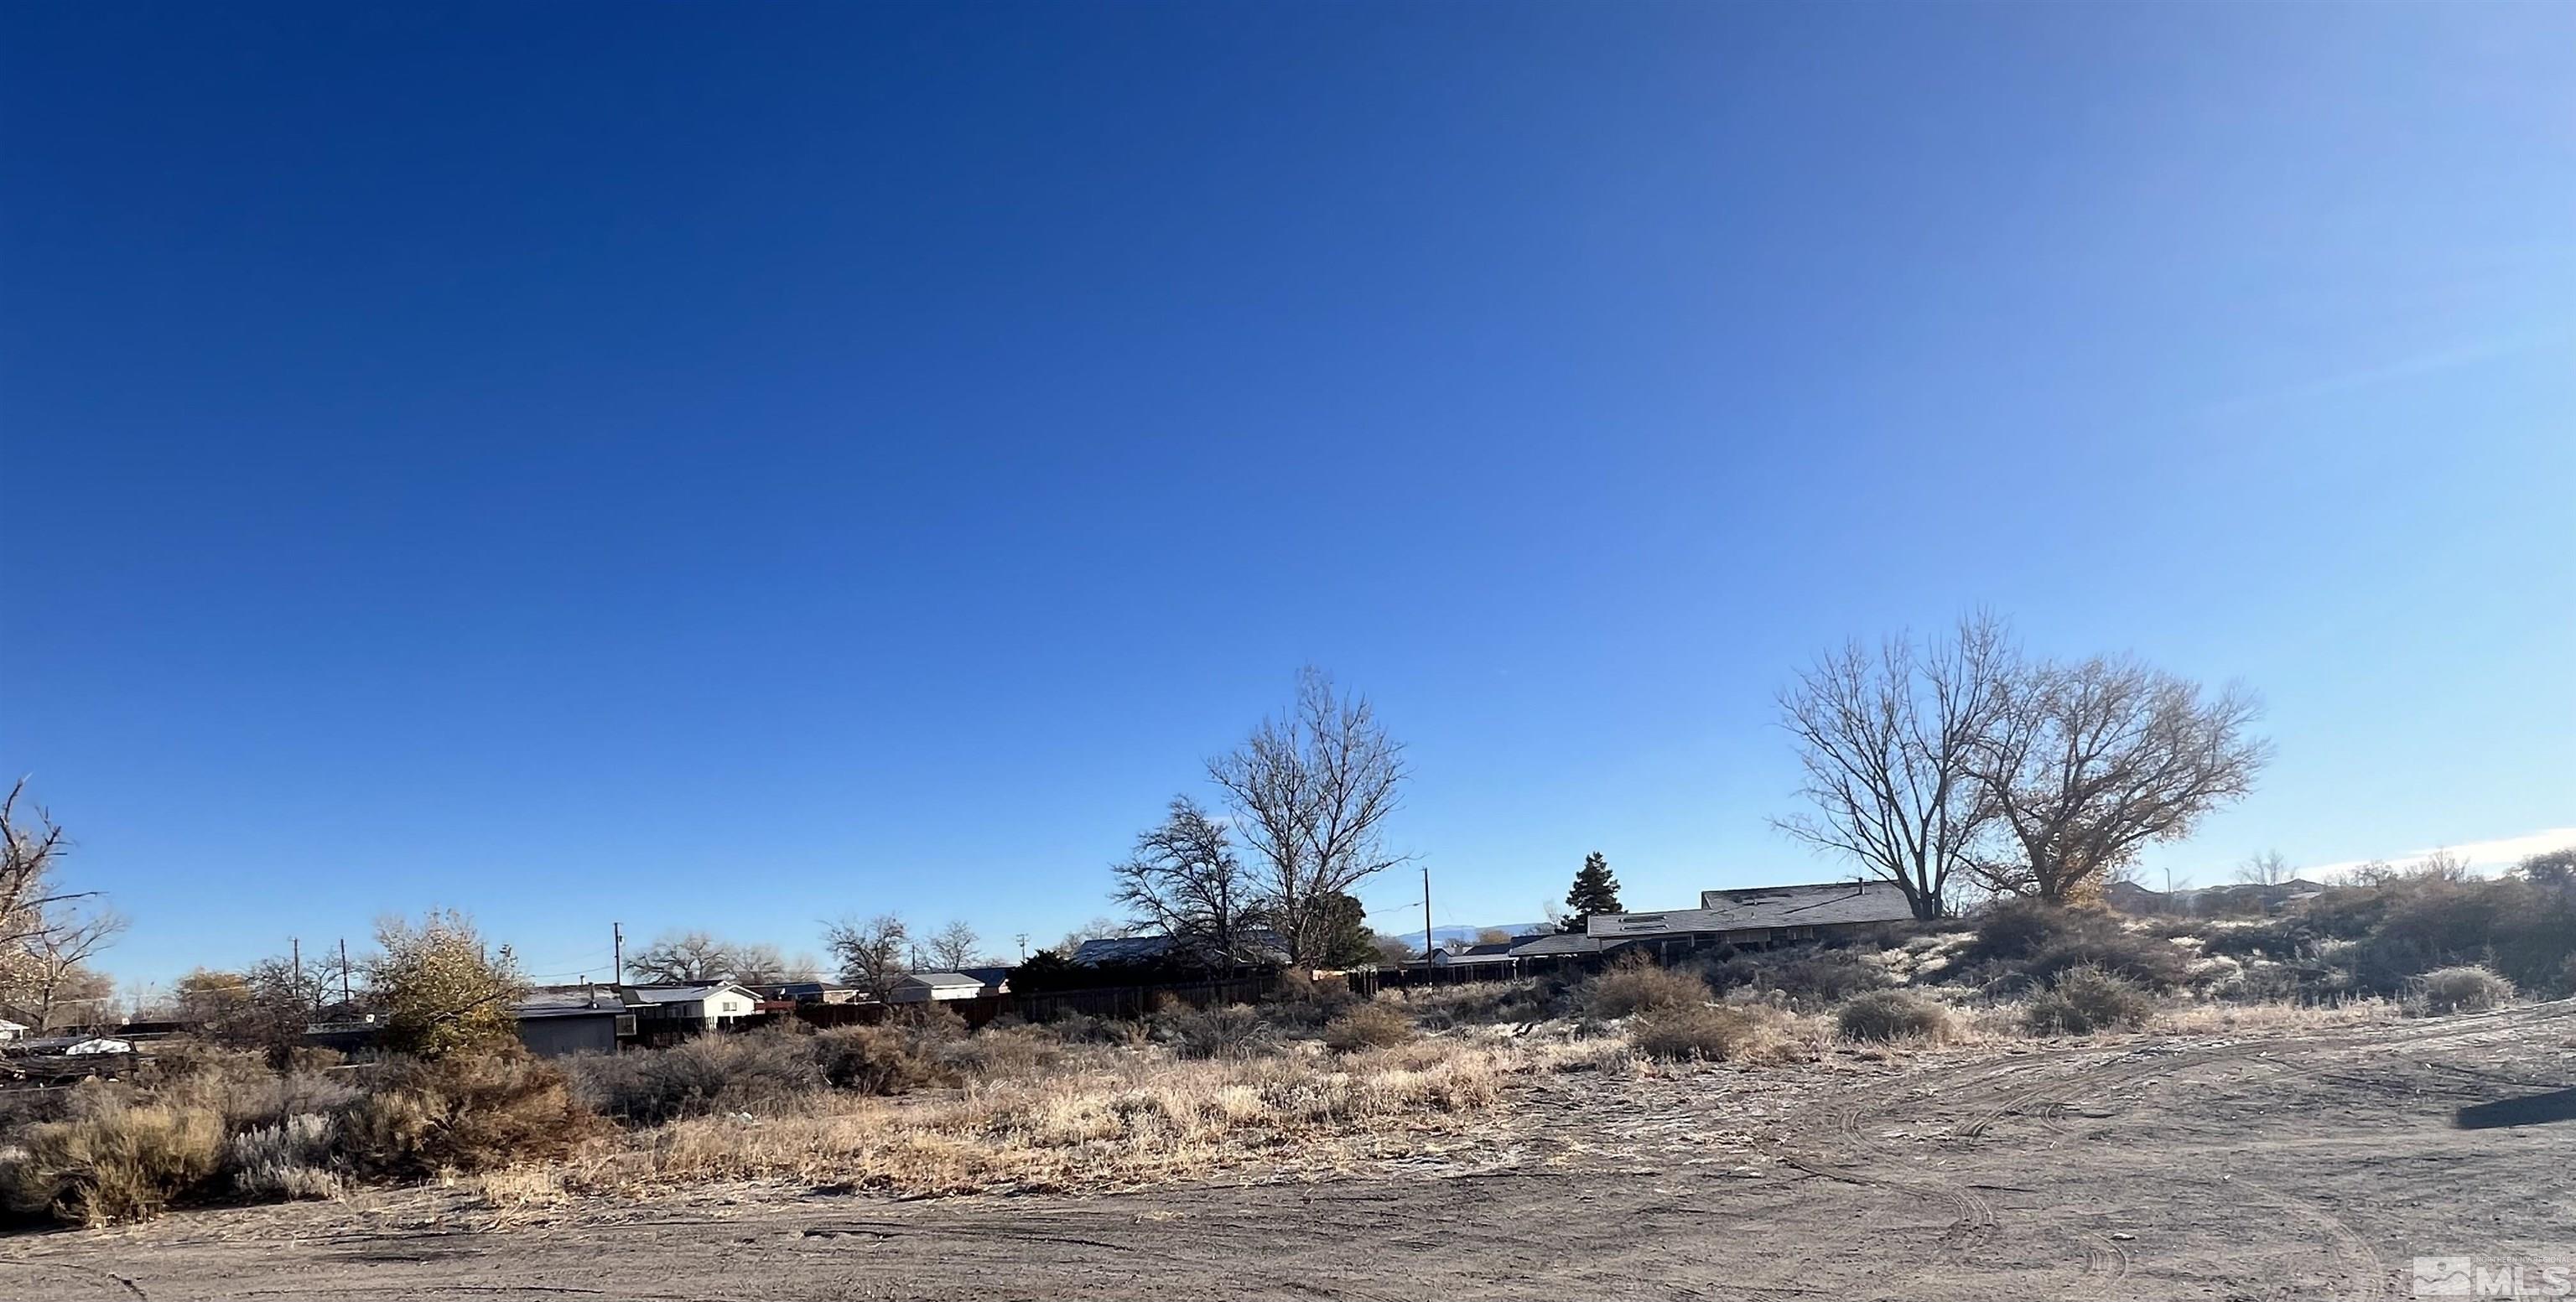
{"x": 1889, "y": 750}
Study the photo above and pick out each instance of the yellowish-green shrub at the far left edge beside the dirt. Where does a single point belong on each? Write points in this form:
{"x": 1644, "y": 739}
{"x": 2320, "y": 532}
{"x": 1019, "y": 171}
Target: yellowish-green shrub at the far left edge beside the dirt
{"x": 112, "y": 1159}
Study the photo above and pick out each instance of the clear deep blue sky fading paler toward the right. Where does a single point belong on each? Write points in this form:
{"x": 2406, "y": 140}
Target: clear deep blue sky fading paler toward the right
{"x": 746, "y": 464}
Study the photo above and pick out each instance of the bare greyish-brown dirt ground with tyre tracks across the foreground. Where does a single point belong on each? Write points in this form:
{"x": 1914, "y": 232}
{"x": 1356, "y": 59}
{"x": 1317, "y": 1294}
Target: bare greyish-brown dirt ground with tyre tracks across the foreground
{"x": 2266, "y": 1167}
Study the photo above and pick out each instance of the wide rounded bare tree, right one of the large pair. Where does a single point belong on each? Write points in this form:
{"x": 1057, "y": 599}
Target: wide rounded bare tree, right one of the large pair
{"x": 2096, "y": 760}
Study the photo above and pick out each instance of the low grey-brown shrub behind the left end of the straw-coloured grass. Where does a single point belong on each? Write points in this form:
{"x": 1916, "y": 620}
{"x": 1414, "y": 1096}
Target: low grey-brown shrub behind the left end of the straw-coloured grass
{"x": 697, "y": 1077}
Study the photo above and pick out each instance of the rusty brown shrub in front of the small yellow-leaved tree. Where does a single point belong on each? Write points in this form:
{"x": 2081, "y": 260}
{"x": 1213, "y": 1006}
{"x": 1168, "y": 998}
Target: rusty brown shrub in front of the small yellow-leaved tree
{"x": 462, "y": 1113}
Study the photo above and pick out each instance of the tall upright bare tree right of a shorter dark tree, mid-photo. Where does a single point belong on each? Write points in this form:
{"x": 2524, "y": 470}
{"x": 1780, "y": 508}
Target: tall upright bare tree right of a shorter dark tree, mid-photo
{"x": 1310, "y": 796}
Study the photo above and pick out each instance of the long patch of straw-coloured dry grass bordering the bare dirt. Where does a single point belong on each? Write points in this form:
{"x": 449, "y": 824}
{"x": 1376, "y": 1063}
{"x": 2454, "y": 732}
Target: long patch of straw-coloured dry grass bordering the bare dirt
{"x": 1124, "y": 1118}
